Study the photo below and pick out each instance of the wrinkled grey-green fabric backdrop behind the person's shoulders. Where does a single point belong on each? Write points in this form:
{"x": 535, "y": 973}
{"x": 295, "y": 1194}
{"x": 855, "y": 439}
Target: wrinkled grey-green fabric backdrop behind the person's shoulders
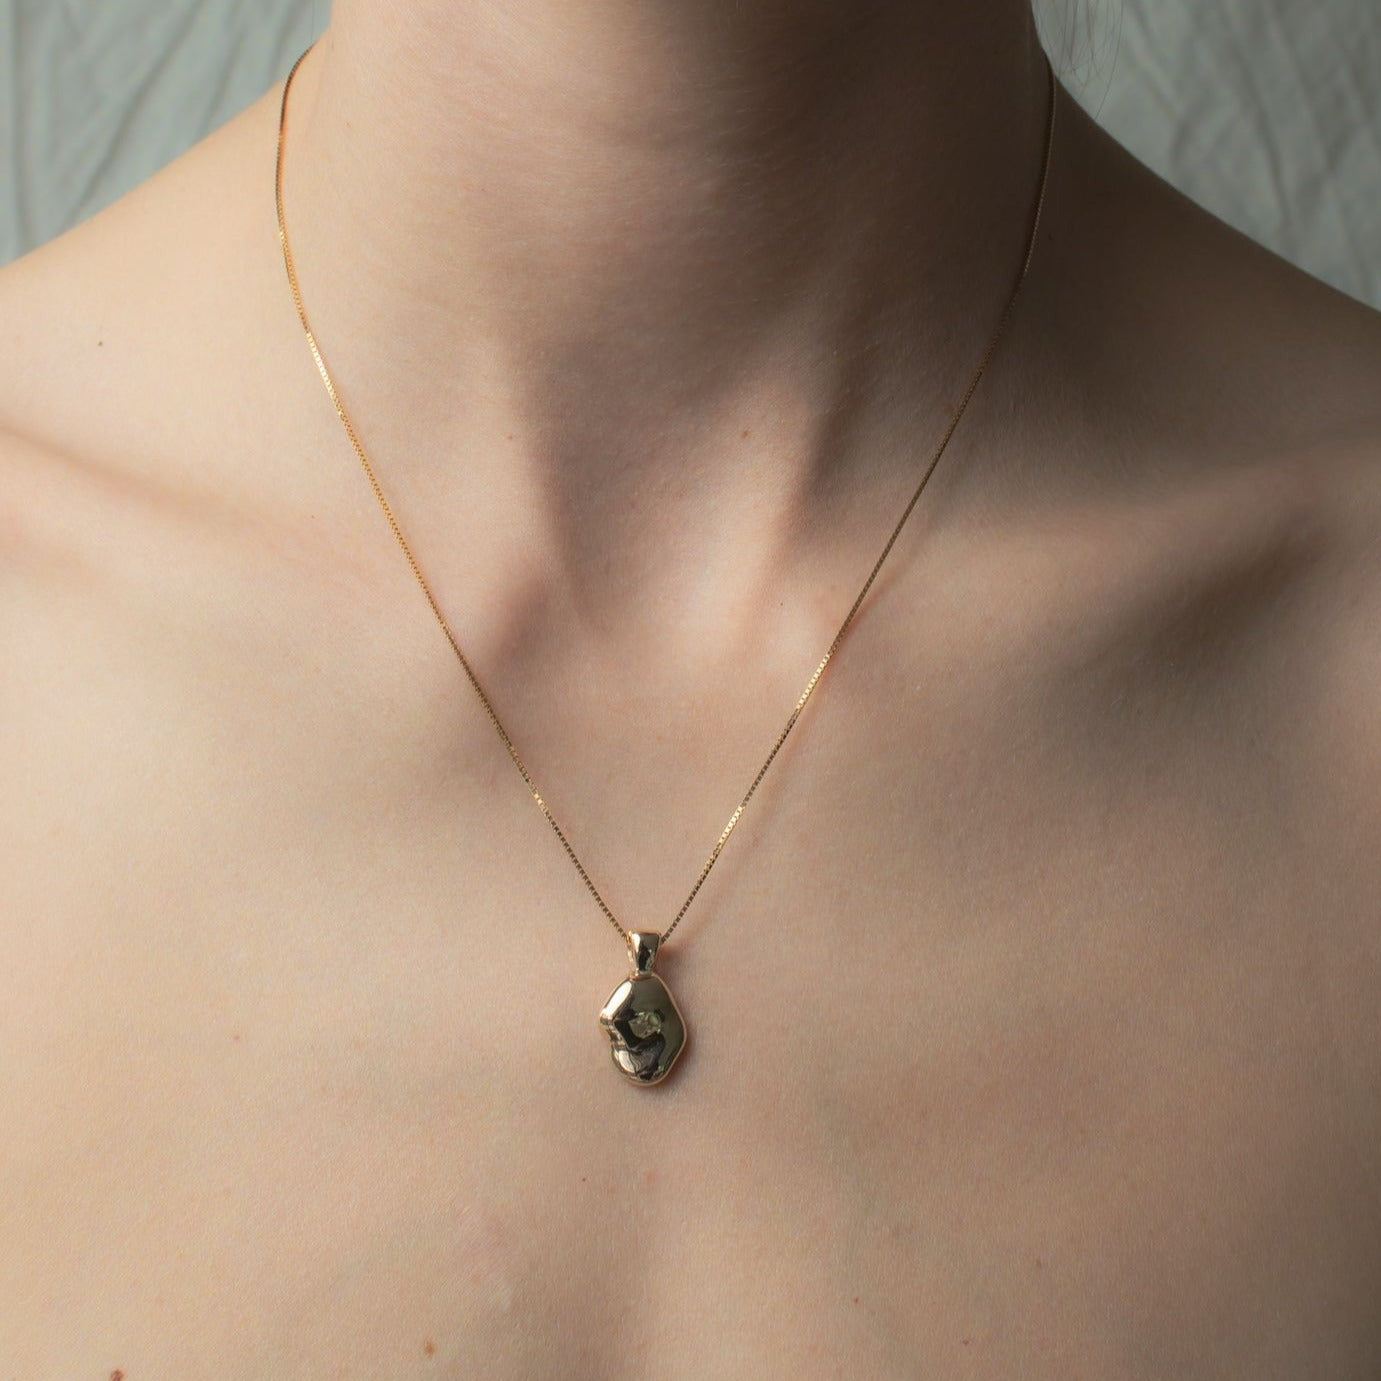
{"x": 1268, "y": 113}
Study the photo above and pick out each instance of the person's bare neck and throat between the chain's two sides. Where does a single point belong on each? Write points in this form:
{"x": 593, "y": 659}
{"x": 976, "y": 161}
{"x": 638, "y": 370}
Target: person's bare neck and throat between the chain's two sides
{"x": 643, "y": 270}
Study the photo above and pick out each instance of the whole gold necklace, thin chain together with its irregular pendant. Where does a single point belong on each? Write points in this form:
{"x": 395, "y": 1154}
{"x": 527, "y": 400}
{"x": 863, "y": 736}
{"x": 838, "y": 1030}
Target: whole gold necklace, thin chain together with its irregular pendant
{"x": 646, "y": 1028}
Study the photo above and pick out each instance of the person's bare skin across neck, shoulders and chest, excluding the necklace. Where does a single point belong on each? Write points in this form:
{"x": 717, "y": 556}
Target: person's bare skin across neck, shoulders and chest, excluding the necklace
{"x": 1034, "y": 1005}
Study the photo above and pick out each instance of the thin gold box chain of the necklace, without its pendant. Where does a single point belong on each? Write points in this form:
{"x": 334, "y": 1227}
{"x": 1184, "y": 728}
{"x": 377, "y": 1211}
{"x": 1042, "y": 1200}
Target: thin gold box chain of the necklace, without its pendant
{"x": 849, "y": 618}
